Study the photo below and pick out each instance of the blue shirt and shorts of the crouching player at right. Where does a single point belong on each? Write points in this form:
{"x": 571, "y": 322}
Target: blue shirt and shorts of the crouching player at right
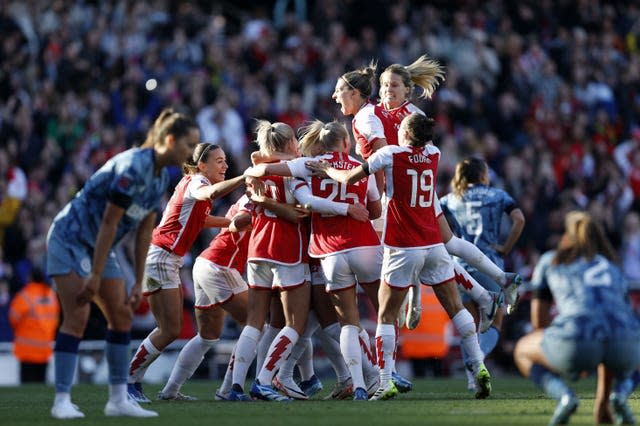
{"x": 595, "y": 323}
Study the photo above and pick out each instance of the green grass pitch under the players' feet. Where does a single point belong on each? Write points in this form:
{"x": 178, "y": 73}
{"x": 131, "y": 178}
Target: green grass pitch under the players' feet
{"x": 515, "y": 401}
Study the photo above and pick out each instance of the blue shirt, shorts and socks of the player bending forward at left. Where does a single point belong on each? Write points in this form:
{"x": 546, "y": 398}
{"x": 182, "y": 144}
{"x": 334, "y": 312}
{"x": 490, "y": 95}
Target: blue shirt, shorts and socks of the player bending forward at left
{"x": 129, "y": 181}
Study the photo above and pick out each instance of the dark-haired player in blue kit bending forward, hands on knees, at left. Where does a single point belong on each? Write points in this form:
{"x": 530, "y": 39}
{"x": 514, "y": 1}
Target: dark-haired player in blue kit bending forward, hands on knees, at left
{"x": 123, "y": 195}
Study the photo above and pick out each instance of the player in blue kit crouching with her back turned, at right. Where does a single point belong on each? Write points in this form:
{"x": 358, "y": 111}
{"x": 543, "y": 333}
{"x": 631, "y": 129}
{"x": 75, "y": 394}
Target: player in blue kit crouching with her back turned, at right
{"x": 595, "y": 326}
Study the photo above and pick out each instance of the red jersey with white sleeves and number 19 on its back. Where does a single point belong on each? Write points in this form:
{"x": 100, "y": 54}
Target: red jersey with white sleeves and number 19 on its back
{"x": 410, "y": 178}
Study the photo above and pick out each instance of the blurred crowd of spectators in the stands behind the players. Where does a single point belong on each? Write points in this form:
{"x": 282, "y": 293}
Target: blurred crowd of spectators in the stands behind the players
{"x": 547, "y": 92}
